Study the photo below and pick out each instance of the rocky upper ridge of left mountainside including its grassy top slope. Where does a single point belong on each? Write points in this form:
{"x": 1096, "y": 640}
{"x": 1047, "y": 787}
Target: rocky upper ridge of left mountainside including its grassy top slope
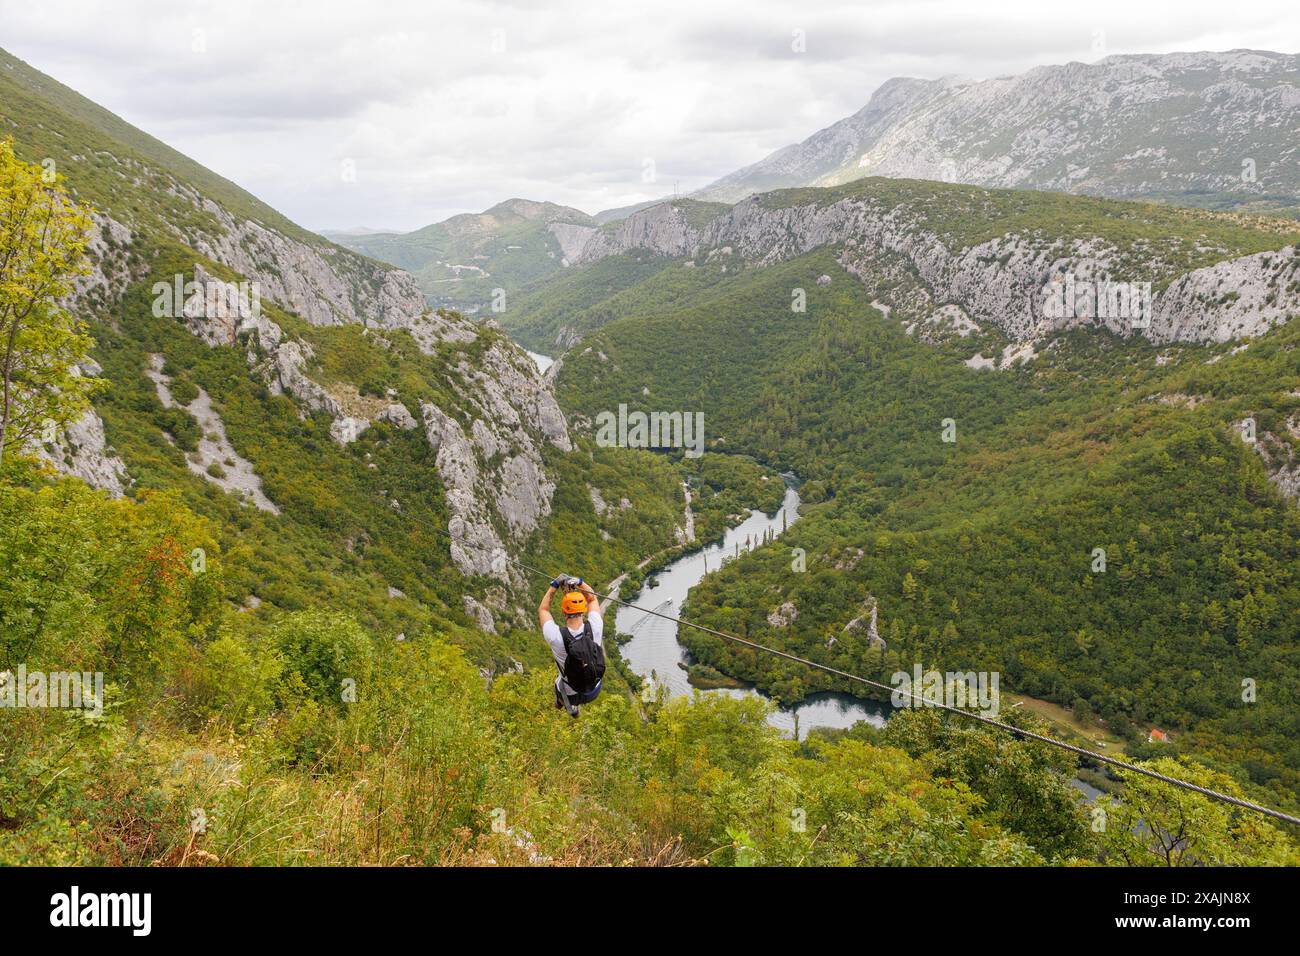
{"x": 155, "y": 211}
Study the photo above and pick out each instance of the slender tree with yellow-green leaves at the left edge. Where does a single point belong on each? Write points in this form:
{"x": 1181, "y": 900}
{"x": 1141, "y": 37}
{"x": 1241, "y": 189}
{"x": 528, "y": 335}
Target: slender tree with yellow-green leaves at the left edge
{"x": 44, "y": 237}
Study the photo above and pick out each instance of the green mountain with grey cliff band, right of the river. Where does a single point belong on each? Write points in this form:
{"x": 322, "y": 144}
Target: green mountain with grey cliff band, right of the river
{"x": 980, "y": 553}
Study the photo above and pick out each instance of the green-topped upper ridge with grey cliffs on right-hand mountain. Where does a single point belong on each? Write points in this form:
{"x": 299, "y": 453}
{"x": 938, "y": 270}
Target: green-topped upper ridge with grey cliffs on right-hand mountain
{"x": 987, "y": 259}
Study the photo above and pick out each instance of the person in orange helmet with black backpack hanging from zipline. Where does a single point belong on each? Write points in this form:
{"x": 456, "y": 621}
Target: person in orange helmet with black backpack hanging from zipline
{"x": 579, "y": 647}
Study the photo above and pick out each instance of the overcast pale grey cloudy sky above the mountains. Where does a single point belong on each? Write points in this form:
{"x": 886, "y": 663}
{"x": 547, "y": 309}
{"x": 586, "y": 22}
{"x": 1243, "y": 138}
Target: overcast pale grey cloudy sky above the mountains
{"x": 404, "y": 113}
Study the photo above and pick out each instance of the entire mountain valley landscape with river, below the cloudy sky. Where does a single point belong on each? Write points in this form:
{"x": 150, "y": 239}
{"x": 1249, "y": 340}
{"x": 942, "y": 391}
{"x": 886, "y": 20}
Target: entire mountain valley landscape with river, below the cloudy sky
{"x": 302, "y": 518}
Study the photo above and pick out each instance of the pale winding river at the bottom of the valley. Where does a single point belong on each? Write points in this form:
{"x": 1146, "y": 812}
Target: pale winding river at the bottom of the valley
{"x": 655, "y": 650}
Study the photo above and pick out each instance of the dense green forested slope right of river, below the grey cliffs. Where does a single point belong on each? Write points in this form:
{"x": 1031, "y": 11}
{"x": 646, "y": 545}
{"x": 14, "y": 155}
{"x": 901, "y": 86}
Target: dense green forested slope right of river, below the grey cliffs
{"x": 981, "y": 552}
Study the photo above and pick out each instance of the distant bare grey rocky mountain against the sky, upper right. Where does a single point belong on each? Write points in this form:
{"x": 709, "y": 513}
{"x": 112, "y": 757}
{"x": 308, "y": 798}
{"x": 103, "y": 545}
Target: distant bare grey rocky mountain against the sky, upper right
{"x": 1080, "y": 128}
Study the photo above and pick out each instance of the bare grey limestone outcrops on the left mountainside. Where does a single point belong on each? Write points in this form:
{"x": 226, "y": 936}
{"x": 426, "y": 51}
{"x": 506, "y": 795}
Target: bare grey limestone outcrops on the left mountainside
{"x": 489, "y": 435}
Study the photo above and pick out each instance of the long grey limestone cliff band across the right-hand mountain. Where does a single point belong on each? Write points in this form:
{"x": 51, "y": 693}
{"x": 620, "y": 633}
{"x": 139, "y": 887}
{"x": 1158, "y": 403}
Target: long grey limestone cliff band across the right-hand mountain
{"x": 1202, "y": 289}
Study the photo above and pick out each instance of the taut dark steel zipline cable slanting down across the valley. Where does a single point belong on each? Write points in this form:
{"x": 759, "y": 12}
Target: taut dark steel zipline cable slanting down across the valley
{"x": 926, "y": 702}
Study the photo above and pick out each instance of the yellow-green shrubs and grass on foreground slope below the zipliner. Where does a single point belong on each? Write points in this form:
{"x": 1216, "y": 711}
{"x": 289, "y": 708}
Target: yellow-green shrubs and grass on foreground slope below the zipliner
{"x": 304, "y": 737}
